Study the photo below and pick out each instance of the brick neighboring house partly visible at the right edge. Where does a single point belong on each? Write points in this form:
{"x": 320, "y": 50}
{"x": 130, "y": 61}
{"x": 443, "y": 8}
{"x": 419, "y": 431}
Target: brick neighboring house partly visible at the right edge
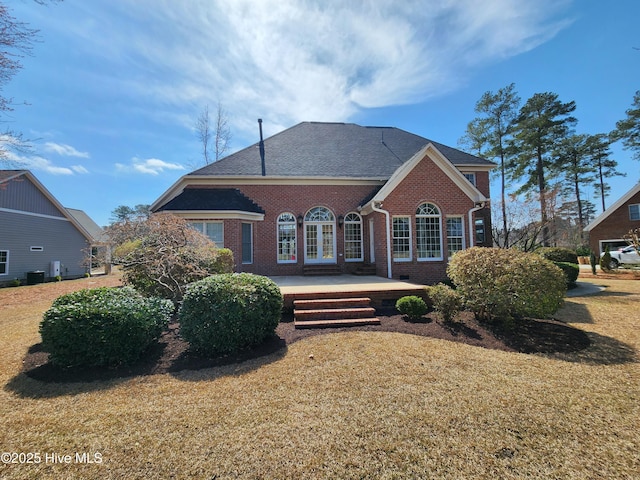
{"x": 611, "y": 225}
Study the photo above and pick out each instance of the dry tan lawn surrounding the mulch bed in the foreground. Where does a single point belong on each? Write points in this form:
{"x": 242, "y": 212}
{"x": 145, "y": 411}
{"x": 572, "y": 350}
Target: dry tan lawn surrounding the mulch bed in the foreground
{"x": 345, "y": 405}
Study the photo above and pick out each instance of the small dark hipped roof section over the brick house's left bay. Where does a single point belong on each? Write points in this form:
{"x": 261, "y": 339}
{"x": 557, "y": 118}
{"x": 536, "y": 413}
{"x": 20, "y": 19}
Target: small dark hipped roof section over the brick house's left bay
{"x": 217, "y": 199}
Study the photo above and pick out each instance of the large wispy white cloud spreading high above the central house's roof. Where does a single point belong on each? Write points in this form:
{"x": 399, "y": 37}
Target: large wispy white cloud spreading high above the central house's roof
{"x": 292, "y": 60}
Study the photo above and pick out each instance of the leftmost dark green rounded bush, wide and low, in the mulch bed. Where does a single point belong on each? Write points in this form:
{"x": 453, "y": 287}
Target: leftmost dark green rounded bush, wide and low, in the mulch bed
{"x": 102, "y": 326}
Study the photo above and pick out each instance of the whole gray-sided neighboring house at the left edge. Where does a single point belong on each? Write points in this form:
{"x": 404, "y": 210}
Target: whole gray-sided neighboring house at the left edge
{"x": 39, "y": 238}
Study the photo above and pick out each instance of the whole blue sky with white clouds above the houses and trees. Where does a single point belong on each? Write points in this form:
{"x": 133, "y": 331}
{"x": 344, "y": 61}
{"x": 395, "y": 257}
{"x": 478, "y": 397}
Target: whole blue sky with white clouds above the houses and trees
{"x": 113, "y": 87}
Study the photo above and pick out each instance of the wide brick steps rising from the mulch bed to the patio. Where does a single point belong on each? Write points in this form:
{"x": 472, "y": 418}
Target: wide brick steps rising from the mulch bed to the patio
{"x": 334, "y": 312}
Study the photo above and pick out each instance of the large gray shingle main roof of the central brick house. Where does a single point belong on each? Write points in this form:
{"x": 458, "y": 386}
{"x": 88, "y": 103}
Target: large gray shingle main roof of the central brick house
{"x": 332, "y": 150}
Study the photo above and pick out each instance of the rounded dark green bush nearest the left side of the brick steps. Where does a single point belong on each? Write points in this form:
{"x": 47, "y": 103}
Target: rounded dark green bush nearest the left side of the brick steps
{"x": 228, "y": 312}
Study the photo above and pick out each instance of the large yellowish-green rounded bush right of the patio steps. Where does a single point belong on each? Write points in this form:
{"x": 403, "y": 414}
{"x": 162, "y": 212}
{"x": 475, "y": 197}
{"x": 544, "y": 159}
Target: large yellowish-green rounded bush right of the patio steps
{"x": 505, "y": 284}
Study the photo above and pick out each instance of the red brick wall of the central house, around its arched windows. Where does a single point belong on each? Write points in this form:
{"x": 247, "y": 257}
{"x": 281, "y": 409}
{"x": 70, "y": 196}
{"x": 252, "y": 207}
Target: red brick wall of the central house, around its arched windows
{"x": 426, "y": 183}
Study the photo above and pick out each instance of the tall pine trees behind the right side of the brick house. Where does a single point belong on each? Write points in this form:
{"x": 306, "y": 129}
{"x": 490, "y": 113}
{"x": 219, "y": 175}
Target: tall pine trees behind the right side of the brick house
{"x": 544, "y": 159}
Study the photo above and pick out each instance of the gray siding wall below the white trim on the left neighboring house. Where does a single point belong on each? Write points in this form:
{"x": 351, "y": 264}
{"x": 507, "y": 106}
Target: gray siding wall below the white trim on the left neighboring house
{"x": 59, "y": 239}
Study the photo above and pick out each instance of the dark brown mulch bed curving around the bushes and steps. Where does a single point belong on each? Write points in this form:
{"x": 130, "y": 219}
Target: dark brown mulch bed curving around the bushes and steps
{"x": 171, "y": 353}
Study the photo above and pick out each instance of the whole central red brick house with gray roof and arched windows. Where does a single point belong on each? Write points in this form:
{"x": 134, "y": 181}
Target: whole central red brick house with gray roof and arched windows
{"x": 340, "y": 198}
